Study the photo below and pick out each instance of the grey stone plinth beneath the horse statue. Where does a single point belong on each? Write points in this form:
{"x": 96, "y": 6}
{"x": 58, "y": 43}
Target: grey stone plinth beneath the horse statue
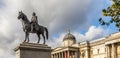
{"x": 32, "y": 50}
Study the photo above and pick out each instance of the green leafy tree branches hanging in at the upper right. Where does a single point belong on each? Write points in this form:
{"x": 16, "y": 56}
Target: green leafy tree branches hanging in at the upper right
{"x": 112, "y": 11}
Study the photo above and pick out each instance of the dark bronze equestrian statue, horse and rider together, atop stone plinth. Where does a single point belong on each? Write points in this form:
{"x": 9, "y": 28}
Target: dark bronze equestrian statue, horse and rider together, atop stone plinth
{"x": 32, "y": 27}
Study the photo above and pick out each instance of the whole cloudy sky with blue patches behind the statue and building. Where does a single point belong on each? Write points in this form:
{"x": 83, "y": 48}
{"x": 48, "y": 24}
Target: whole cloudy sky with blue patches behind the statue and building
{"x": 80, "y": 16}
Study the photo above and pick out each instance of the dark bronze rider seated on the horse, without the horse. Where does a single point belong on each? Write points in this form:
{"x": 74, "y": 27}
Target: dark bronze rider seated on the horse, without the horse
{"x": 34, "y": 22}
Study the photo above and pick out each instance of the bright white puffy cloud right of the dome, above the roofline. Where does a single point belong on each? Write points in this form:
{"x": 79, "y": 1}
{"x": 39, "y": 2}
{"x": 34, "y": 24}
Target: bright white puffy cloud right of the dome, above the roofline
{"x": 92, "y": 33}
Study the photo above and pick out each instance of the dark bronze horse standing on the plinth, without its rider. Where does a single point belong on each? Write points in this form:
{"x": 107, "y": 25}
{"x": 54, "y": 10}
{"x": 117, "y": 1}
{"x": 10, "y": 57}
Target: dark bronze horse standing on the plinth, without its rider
{"x": 27, "y": 28}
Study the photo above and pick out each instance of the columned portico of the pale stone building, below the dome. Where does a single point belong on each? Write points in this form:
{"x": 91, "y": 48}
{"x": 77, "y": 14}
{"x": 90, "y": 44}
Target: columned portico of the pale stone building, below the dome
{"x": 68, "y": 52}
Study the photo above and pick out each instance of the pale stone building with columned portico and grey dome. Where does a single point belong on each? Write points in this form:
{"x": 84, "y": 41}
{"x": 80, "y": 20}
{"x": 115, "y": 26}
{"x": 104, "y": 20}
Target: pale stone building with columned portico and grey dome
{"x": 107, "y": 47}
